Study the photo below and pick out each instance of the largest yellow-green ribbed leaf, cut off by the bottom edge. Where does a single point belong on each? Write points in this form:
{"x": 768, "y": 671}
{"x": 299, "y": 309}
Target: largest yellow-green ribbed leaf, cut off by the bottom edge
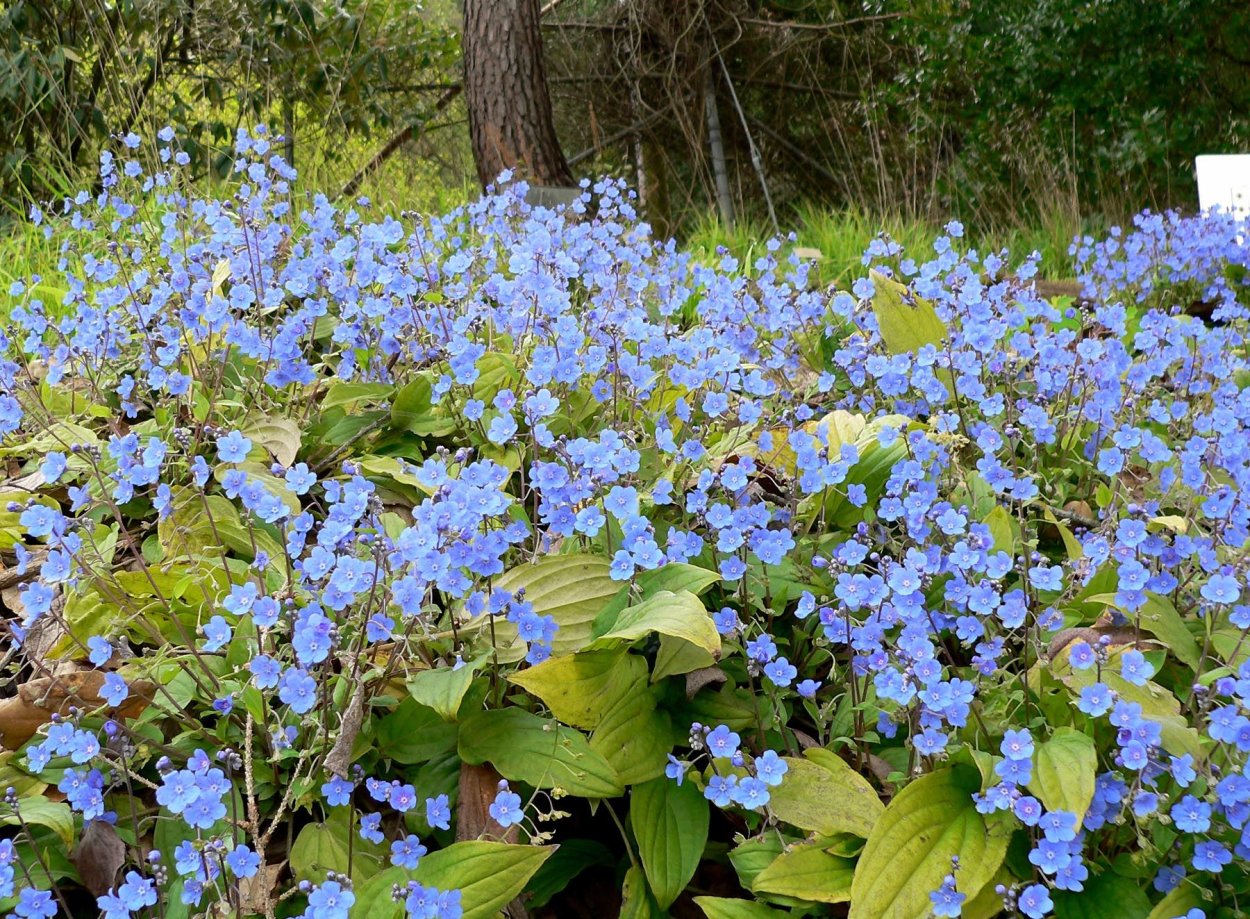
{"x": 911, "y": 848}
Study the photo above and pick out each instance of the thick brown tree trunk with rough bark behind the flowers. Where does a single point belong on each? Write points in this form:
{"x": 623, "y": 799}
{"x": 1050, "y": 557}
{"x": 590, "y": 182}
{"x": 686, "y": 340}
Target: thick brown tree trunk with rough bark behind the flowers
{"x": 507, "y": 93}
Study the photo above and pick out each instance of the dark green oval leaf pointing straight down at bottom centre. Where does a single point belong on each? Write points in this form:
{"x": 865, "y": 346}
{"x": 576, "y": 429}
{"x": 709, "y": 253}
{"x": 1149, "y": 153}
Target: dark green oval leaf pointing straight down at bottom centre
{"x": 671, "y": 825}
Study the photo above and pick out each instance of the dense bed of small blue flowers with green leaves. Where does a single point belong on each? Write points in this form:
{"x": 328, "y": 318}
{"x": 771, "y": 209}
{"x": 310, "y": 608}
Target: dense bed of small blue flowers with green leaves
{"x": 514, "y": 561}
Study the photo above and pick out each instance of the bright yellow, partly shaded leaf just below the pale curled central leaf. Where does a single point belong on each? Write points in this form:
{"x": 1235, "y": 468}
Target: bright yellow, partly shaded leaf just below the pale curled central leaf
{"x": 581, "y": 688}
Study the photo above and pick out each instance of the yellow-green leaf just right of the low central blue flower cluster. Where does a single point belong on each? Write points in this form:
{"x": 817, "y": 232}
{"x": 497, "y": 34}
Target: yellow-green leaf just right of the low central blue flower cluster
{"x": 826, "y": 796}
